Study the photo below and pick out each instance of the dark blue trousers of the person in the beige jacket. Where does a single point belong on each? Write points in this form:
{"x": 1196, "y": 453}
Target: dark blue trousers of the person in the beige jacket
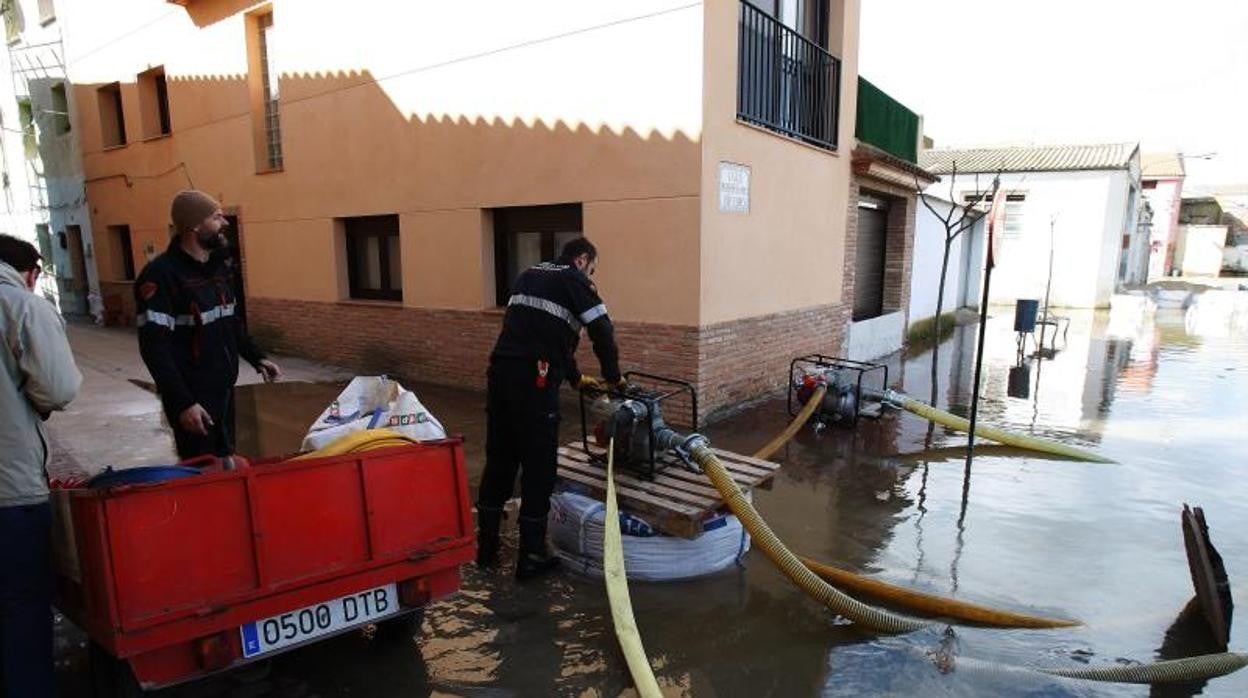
{"x": 27, "y": 601}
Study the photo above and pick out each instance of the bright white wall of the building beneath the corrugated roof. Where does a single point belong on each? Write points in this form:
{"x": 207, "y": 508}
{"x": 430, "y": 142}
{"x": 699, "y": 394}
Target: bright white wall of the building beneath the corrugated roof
{"x": 1091, "y": 214}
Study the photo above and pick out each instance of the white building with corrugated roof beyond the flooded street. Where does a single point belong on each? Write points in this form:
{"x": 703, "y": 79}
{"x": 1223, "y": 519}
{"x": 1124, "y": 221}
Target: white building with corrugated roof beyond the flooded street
{"x": 1081, "y": 203}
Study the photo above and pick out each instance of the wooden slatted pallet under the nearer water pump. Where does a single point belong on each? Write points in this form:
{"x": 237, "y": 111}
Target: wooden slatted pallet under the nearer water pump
{"x": 677, "y": 501}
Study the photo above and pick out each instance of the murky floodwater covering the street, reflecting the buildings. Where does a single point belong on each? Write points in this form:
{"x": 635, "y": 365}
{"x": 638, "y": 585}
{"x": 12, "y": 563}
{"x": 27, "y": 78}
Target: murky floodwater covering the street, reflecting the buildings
{"x": 894, "y": 500}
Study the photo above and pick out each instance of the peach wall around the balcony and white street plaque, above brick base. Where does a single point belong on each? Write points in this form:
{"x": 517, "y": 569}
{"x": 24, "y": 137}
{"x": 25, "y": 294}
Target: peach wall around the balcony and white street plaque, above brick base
{"x": 787, "y": 253}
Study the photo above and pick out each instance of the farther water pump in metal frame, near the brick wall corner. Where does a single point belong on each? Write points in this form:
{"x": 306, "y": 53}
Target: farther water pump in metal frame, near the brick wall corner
{"x": 854, "y": 388}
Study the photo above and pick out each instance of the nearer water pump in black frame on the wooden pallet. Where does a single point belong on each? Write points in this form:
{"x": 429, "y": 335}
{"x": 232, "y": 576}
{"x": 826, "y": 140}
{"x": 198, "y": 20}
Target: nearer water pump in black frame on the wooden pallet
{"x": 635, "y": 419}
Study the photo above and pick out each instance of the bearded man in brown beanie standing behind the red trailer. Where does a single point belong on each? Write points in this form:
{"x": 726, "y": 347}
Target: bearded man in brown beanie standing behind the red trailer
{"x": 189, "y": 335}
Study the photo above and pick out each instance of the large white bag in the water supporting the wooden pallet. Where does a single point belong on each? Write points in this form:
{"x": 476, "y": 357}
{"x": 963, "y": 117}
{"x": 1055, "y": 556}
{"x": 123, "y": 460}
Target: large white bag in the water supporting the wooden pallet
{"x": 576, "y": 529}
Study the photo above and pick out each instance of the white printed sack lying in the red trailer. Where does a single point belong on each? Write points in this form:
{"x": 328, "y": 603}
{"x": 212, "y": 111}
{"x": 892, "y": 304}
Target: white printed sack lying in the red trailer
{"x": 374, "y": 403}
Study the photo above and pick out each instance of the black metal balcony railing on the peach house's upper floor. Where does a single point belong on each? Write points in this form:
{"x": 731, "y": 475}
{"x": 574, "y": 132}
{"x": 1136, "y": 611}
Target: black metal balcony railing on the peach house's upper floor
{"x": 786, "y": 82}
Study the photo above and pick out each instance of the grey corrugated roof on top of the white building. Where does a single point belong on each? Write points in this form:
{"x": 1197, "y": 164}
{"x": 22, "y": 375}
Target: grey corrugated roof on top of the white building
{"x": 1029, "y": 159}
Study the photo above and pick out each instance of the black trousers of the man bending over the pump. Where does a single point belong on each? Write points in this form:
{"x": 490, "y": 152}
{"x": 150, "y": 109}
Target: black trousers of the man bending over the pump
{"x": 522, "y": 434}
